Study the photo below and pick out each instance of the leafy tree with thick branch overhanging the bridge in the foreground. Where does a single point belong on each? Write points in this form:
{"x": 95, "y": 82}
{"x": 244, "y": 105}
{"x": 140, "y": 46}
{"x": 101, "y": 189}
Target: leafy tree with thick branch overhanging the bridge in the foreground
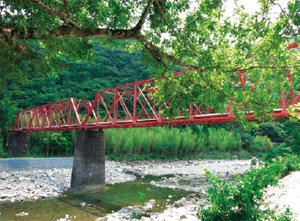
{"x": 36, "y": 36}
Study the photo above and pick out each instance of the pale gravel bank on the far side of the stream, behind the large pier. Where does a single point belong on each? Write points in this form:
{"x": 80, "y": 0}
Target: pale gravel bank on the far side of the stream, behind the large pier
{"x": 27, "y": 183}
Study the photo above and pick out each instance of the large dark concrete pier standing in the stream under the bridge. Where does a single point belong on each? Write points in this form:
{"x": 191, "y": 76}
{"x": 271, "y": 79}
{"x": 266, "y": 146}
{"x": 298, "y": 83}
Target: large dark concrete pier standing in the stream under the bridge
{"x": 88, "y": 172}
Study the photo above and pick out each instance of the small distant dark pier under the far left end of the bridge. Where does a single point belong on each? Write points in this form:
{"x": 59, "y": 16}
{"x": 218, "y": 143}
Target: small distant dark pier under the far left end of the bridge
{"x": 18, "y": 144}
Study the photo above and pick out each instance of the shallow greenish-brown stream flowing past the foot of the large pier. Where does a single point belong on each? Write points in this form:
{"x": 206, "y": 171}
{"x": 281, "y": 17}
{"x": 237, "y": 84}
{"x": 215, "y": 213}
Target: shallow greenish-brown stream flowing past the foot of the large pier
{"x": 97, "y": 204}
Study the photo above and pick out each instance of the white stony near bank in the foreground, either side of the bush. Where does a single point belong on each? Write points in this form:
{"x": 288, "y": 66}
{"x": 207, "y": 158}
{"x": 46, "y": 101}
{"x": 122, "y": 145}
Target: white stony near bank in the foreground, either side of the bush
{"x": 285, "y": 195}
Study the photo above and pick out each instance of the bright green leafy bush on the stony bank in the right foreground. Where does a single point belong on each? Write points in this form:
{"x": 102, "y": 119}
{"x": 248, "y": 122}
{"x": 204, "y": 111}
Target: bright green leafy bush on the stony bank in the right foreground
{"x": 242, "y": 200}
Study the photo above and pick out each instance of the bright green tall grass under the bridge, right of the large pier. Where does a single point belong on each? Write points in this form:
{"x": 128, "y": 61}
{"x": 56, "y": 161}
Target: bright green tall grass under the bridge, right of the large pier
{"x": 170, "y": 142}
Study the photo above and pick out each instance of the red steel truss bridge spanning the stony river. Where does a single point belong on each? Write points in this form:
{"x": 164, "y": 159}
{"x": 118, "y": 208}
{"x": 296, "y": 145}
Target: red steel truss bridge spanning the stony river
{"x": 131, "y": 105}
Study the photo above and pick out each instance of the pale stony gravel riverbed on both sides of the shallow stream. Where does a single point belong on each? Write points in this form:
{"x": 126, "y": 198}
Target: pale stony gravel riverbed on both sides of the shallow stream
{"x": 27, "y": 182}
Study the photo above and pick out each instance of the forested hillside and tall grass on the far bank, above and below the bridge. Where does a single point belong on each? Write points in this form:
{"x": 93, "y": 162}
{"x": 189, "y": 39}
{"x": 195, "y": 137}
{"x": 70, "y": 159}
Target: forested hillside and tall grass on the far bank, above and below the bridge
{"x": 112, "y": 68}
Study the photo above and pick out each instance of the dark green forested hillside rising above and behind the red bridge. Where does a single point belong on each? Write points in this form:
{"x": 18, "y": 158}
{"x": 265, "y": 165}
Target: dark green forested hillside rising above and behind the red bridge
{"x": 83, "y": 80}
